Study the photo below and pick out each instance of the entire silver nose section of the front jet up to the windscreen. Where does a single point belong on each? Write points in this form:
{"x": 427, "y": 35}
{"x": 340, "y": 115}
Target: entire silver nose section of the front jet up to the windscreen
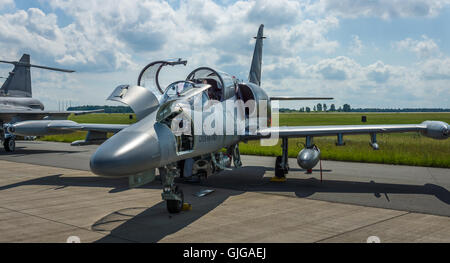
{"x": 140, "y": 148}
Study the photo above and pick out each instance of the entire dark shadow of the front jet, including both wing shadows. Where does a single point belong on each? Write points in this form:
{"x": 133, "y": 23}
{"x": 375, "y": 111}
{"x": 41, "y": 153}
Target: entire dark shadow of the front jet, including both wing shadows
{"x": 154, "y": 223}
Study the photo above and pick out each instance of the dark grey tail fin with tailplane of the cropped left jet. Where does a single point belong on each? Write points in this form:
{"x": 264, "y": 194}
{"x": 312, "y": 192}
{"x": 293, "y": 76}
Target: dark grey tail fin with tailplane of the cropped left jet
{"x": 18, "y": 84}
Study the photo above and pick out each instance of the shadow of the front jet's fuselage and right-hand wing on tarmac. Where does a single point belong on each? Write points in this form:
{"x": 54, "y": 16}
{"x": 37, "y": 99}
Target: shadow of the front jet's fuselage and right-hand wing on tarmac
{"x": 153, "y": 224}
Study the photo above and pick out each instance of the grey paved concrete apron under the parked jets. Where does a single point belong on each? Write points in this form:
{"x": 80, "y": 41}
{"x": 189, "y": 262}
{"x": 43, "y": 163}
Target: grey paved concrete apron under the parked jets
{"x": 48, "y": 194}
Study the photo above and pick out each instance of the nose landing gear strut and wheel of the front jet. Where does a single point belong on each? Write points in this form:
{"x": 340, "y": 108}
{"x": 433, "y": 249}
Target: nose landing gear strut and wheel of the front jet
{"x": 172, "y": 194}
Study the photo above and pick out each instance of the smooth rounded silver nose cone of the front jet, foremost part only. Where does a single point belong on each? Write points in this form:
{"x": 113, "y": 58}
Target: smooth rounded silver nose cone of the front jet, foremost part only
{"x": 126, "y": 153}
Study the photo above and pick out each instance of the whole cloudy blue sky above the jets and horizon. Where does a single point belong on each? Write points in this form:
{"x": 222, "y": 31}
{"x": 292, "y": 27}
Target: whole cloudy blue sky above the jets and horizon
{"x": 376, "y": 53}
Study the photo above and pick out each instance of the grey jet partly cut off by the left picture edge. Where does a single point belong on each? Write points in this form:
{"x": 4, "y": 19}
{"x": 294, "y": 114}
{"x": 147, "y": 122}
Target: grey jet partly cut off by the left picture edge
{"x": 17, "y": 104}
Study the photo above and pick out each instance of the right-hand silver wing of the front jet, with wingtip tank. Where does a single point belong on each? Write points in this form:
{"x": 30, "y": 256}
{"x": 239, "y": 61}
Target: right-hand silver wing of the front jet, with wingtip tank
{"x": 434, "y": 129}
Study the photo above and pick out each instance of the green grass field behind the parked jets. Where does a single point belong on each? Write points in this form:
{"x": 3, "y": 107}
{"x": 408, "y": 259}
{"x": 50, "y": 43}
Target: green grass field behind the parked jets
{"x": 402, "y": 149}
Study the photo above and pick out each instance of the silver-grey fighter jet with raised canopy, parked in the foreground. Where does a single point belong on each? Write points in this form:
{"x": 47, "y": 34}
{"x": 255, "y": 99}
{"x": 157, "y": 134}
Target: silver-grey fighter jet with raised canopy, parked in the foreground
{"x": 173, "y": 134}
